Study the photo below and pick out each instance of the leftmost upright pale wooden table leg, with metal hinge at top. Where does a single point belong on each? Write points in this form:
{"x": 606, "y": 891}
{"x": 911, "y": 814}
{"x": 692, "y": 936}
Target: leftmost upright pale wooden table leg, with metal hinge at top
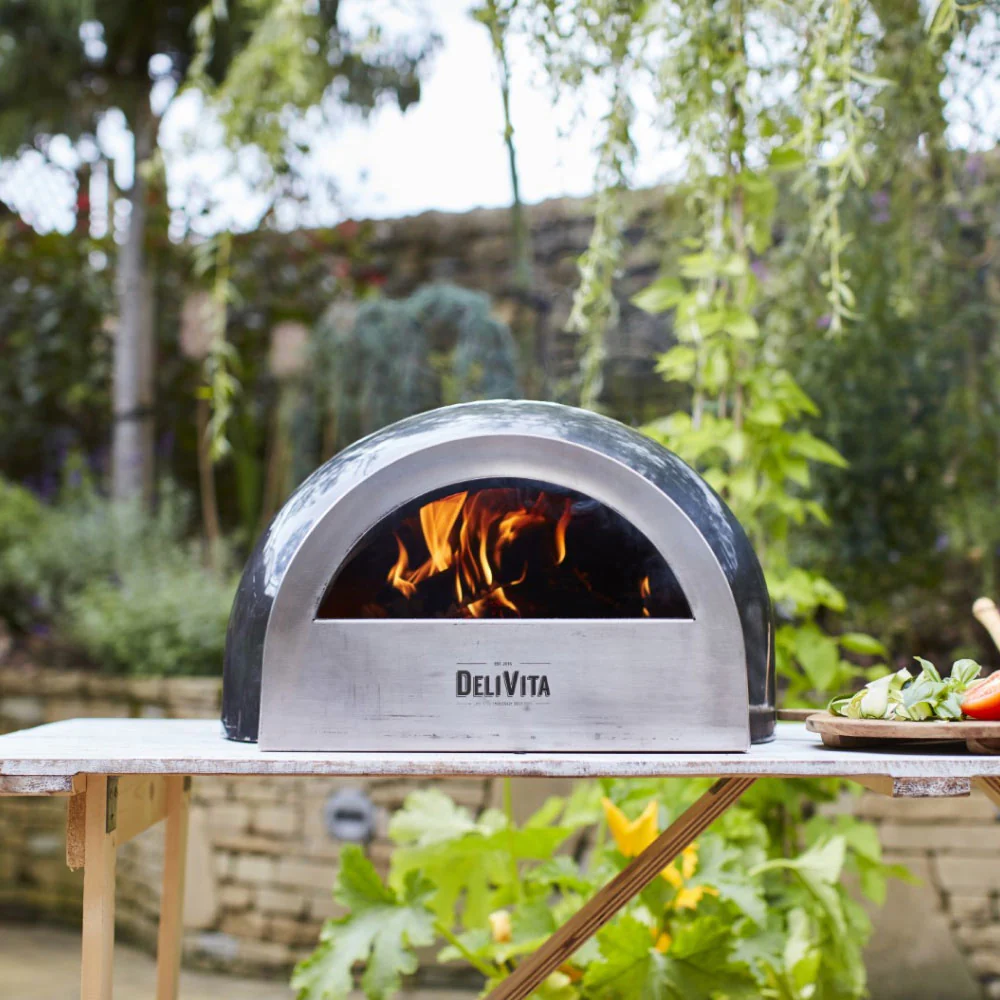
{"x": 98, "y": 891}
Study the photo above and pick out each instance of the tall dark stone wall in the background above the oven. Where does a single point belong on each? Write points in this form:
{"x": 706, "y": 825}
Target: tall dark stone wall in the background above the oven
{"x": 473, "y": 250}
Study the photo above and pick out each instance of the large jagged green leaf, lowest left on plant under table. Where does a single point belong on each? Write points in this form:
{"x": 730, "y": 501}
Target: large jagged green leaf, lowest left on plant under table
{"x": 381, "y": 931}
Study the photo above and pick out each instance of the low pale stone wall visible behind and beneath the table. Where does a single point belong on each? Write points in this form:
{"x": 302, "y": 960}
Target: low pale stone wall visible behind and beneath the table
{"x": 261, "y": 862}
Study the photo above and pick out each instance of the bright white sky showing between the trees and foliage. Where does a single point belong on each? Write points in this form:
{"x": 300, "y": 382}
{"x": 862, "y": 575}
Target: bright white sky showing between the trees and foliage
{"x": 446, "y": 152}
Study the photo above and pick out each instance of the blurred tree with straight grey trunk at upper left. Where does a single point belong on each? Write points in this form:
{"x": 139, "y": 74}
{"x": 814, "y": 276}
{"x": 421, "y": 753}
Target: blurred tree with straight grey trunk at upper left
{"x": 64, "y": 66}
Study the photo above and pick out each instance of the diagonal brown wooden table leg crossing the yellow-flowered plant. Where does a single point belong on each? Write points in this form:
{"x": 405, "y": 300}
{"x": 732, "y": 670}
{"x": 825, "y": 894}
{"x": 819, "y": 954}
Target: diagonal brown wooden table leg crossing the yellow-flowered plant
{"x": 624, "y": 886}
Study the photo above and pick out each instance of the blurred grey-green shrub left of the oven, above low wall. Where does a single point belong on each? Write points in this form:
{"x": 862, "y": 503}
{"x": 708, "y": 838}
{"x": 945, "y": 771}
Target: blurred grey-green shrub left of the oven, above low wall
{"x": 122, "y": 589}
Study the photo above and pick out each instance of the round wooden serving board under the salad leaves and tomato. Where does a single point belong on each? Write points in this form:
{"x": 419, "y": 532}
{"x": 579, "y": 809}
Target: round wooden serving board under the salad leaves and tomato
{"x": 845, "y": 734}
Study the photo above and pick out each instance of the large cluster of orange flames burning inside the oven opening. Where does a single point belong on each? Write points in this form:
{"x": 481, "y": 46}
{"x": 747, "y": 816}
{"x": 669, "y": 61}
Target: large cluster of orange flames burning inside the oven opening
{"x": 467, "y": 536}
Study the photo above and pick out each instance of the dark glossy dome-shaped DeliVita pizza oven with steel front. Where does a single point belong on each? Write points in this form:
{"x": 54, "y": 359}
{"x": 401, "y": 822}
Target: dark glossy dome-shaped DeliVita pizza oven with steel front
{"x": 502, "y": 575}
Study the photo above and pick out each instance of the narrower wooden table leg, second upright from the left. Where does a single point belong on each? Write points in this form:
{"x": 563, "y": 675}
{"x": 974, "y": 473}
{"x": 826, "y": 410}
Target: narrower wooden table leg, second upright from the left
{"x": 171, "y": 934}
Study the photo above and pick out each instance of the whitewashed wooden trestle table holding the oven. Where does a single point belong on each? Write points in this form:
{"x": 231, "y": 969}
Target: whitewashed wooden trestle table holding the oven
{"x": 121, "y": 776}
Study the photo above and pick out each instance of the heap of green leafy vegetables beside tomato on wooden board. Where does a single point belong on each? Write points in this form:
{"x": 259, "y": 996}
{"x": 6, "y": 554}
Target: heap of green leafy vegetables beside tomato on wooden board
{"x": 905, "y": 697}
